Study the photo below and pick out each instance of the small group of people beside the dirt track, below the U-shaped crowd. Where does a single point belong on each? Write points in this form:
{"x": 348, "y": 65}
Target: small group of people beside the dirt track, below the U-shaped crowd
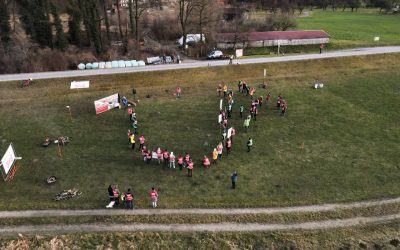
{"x": 127, "y": 199}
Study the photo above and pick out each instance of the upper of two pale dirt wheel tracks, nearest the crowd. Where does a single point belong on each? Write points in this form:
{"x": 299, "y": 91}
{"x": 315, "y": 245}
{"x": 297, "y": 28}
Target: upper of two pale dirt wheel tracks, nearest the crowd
{"x": 222, "y": 211}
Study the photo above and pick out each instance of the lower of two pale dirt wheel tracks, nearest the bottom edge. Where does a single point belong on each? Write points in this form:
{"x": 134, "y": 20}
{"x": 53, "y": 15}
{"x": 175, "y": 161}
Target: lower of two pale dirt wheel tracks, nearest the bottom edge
{"x": 214, "y": 227}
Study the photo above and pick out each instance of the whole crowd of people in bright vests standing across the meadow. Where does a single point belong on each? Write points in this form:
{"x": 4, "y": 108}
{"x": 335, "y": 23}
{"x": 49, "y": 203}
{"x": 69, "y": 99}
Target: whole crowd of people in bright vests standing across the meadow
{"x": 185, "y": 161}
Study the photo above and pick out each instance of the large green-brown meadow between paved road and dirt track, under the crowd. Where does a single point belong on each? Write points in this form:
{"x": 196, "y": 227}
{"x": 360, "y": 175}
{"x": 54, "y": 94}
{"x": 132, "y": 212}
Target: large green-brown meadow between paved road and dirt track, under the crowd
{"x": 349, "y": 129}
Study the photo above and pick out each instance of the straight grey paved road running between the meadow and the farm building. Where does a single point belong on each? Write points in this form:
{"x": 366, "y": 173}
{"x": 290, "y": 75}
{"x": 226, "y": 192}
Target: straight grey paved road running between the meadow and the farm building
{"x": 199, "y": 64}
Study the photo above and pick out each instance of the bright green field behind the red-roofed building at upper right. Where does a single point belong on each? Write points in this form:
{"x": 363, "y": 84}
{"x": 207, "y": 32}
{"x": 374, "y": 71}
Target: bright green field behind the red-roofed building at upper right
{"x": 354, "y": 29}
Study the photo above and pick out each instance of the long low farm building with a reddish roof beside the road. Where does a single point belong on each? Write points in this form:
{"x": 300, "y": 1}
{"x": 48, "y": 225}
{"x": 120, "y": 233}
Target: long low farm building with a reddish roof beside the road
{"x": 270, "y": 38}
